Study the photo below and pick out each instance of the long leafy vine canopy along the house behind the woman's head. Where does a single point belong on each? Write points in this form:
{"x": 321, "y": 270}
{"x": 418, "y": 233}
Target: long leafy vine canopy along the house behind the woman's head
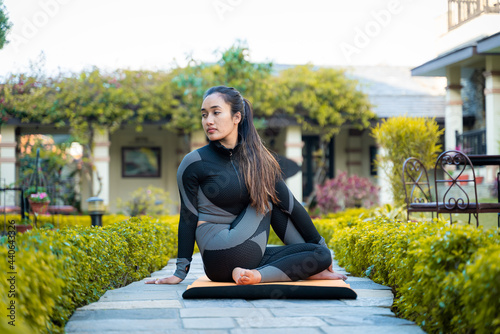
{"x": 322, "y": 100}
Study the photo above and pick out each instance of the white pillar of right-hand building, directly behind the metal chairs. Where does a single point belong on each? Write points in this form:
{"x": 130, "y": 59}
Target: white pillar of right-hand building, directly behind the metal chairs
{"x": 453, "y": 113}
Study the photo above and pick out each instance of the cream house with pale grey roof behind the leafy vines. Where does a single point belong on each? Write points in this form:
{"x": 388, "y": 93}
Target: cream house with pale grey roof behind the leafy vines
{"x": 123, "y": 158}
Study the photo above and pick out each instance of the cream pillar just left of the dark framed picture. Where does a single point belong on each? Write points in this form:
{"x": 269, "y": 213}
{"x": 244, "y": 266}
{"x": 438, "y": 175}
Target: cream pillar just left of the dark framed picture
{"x": 101, "y": 163}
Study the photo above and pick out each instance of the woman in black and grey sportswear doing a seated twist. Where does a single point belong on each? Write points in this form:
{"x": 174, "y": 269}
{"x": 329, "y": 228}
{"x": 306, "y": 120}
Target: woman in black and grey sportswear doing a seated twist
{"x": 231, "y": 193}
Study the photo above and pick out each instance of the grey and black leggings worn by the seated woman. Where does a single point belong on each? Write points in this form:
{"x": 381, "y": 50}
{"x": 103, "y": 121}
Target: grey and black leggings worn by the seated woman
{"x": 243, "y": 243}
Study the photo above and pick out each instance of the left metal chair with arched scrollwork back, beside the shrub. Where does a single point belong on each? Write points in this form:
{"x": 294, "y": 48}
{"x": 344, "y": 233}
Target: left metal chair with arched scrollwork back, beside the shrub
{"x": 417, "y": 188}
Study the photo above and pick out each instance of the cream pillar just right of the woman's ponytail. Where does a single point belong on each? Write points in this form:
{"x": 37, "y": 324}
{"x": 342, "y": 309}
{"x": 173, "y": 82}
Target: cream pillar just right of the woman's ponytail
{"x": 293, "y": 151}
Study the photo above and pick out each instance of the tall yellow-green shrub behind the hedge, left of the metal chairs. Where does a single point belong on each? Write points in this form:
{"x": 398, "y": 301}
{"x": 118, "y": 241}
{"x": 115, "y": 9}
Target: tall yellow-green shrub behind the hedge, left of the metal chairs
{"x": 403, "y": 137}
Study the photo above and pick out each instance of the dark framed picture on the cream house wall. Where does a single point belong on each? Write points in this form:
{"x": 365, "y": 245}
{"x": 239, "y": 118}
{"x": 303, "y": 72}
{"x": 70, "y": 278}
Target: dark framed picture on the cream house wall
{"x": 141, "y": 162}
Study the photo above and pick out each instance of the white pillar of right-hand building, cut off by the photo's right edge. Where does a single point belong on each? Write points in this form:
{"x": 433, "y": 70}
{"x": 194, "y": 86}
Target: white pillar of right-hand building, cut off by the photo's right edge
{"x": 492, "y": 105}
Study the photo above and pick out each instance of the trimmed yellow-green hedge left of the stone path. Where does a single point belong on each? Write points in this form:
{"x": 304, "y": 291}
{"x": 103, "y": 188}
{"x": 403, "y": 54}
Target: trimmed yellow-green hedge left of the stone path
{"x": 59, "y": 271}
